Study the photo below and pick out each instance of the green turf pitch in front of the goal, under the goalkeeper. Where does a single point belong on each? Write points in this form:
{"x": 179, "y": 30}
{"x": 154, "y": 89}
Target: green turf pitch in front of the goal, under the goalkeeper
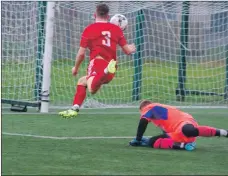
{"x": 23, "y": 155}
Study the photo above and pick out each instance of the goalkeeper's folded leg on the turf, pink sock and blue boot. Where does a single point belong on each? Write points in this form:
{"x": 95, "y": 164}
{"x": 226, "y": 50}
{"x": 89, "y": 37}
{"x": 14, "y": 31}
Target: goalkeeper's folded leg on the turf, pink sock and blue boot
{"x": 164, "y": 142}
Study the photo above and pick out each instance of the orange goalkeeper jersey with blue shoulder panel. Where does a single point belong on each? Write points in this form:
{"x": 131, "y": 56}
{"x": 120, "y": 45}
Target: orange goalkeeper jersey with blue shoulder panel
{"x": 168, "y": 118}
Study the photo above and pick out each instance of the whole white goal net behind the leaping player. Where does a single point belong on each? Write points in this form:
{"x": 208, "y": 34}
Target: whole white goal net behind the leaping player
{"x": 181, "y": 58}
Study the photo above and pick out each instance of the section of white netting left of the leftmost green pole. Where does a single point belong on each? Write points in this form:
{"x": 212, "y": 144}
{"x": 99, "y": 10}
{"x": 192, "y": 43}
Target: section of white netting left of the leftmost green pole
{"x": 19, "y": 50}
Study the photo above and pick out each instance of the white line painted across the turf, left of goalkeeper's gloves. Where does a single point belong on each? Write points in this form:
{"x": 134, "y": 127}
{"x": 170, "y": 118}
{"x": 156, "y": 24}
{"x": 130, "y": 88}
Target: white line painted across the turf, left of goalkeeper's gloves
{"x": 67, "y": 137}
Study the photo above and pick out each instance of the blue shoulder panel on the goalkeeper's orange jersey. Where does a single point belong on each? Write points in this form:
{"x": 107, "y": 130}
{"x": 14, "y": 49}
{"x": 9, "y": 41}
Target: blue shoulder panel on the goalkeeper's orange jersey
{"x": 157, "y": 112}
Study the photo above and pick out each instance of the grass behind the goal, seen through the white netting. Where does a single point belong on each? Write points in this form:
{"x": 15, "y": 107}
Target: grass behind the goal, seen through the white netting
{"x": 159, "y": 82}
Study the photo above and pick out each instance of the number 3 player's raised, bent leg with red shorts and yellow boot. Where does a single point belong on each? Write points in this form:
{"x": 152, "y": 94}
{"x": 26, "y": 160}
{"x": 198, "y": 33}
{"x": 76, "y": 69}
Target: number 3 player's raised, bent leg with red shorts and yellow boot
{"x": 101, "y": 73}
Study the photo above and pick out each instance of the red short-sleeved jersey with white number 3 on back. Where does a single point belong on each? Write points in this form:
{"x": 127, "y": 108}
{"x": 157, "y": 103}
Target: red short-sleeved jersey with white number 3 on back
{"x": 102, "y": 38}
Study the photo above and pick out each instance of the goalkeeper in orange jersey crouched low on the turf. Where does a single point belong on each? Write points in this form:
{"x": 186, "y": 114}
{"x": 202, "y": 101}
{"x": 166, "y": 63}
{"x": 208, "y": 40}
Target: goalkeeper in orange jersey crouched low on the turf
{"x": 180, "y": 129}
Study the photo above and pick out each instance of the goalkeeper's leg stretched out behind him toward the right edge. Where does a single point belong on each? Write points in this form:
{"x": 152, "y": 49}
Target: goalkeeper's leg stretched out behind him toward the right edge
{"x": 190, "y": 130}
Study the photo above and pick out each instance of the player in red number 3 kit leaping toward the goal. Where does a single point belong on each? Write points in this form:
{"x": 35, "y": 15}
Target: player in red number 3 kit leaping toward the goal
{"x": 101, "y": 38}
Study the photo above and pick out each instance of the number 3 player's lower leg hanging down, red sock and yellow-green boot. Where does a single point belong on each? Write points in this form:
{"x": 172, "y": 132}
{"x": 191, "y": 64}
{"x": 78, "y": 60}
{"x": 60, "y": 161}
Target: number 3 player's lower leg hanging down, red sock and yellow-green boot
{"x": 79, "y": 97}
